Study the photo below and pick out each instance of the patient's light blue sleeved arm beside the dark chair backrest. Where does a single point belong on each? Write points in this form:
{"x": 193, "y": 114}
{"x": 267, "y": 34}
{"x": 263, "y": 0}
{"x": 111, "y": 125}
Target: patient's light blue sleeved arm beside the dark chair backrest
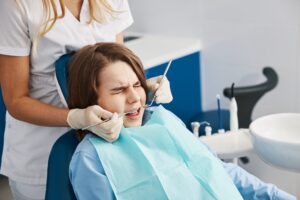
{"x": 87, "y": 175}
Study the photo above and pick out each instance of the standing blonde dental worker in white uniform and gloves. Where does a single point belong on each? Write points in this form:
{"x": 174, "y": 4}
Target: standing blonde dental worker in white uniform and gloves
{"x": 33, "y": 35}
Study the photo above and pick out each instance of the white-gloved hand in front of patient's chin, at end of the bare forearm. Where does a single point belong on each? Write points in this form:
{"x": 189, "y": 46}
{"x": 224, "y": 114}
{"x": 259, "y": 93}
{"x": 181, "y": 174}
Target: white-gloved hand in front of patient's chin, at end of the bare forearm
{"x": 81, "y": 118}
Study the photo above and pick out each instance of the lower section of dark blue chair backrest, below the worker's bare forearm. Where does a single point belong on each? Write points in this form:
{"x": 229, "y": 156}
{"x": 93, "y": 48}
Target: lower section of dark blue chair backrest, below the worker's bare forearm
{"x": 58, "y": 183}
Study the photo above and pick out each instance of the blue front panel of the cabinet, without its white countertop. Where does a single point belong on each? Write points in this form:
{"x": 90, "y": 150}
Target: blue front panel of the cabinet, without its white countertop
{"x": 184, "y": 76}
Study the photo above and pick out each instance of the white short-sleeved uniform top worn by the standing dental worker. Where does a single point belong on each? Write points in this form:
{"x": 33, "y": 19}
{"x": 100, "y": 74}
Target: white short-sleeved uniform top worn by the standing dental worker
{"x": 26, "y": 146}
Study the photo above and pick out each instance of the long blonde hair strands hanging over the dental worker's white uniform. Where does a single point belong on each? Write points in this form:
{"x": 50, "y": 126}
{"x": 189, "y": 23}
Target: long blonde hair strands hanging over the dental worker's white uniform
{"x": 100, "y": 11}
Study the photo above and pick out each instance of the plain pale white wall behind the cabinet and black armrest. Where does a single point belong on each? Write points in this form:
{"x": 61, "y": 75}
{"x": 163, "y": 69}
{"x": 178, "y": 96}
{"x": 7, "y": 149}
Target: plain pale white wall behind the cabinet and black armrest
{"x": 239, "y": 38}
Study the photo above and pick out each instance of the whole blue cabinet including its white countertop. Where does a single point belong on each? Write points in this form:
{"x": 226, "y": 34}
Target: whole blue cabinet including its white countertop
{"x": 184, "y": 73}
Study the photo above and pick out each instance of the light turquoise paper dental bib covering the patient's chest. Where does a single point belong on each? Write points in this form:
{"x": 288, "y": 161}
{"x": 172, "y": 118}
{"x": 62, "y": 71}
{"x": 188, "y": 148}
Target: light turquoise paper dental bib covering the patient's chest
{"x": 162, "y": 160}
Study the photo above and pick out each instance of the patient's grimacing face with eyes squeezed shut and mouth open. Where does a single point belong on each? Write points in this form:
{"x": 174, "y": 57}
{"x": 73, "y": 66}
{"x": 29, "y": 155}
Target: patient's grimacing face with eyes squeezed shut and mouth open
{"x": 120, "y": 91}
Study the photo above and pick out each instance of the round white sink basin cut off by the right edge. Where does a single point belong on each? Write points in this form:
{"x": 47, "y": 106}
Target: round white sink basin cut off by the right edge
{"x": 276, "y": 139}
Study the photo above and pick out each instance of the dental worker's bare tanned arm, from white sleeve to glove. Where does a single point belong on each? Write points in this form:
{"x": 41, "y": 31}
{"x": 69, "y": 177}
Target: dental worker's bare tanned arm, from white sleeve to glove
{"x": 14, "y": 77}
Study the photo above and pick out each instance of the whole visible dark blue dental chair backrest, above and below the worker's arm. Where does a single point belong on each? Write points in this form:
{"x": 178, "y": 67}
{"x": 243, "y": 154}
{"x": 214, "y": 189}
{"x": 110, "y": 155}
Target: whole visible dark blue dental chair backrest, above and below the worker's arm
{"x": 58, "y": 184}
